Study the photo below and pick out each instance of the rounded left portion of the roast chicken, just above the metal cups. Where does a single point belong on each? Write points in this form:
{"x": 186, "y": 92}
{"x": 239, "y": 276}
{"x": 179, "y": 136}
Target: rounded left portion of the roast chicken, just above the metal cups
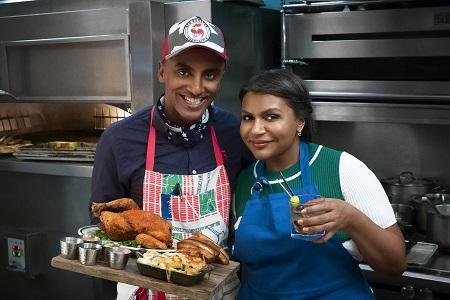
{"x": 117, "y": 226}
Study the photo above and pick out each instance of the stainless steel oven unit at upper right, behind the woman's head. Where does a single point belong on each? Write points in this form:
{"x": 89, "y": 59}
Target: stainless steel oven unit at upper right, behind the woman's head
{"x": 379, "y": 51}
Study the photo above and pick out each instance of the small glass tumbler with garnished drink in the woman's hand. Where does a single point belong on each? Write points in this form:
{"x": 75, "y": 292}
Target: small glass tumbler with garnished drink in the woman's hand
{"x": 295, "y": 205}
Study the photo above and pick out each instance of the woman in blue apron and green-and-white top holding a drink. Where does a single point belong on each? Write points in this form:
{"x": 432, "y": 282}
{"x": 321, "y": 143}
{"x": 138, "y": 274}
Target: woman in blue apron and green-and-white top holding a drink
{"x": 353, "y": 209}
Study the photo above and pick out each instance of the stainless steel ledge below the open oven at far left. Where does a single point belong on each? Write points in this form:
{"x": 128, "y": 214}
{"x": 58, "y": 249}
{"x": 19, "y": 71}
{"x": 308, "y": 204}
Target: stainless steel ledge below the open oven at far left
{"x": 10, "y": 164}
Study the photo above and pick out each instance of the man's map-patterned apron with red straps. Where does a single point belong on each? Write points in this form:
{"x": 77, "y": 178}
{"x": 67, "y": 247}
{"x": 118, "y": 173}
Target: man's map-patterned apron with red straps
{"x": 192, "y": 203}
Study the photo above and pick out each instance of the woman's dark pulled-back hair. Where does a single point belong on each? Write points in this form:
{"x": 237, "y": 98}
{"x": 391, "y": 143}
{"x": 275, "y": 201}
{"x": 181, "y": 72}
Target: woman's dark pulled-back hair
{"x": 287, "y": 85}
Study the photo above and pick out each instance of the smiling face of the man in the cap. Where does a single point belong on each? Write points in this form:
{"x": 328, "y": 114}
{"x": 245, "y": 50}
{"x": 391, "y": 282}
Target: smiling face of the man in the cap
{"x": 191, "y": 79}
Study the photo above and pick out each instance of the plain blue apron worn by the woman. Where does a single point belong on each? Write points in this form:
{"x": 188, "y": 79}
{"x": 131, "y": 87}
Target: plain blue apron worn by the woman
{"x": 276, "y": 266}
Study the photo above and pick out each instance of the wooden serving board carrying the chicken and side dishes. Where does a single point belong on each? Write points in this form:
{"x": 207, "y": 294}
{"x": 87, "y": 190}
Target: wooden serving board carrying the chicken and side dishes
{"x": 204, "y": 290}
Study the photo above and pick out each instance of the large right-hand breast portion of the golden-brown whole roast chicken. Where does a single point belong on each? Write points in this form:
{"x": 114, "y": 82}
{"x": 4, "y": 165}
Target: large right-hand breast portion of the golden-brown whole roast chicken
{"x": 150, "y": 224}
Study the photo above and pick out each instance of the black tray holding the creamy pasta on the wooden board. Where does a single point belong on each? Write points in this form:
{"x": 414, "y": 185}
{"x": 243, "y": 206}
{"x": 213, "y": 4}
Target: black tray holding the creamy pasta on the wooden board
{"x": 175, "y": 277}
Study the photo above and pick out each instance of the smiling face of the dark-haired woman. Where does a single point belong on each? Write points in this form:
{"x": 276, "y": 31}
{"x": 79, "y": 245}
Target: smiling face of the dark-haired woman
{"x": 269, "y": 129}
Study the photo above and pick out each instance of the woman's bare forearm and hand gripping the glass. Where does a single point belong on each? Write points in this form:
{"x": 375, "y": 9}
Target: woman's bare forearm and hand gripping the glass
{"x": 382, "y": 248}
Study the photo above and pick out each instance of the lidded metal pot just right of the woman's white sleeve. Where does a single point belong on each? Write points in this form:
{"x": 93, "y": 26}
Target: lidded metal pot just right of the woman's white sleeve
{"x": 403, "y": 188}
